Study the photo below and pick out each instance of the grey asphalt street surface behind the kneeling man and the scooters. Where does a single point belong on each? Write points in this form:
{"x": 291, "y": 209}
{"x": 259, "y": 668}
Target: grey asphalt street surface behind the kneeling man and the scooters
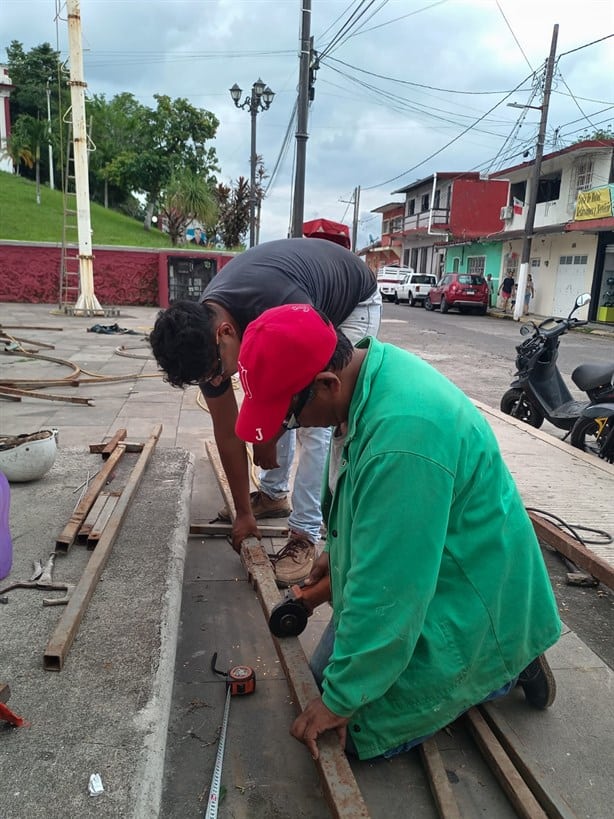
{"x": 477, "y": 353}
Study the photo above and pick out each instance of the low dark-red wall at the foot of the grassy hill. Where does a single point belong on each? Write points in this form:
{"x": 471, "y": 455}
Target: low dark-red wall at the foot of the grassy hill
{"x": 31, "y": 273}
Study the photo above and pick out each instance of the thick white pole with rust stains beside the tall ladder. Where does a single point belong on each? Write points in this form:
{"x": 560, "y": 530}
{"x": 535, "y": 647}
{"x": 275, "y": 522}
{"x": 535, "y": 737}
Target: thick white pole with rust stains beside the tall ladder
{"x": 87, "y": 303}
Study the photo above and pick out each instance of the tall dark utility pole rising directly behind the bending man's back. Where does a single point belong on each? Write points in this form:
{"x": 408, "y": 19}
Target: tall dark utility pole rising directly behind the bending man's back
{"x": 298, "y": 206}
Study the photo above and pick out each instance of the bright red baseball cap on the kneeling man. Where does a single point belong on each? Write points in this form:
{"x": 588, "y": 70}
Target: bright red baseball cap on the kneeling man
{"x": 281, "y": 353}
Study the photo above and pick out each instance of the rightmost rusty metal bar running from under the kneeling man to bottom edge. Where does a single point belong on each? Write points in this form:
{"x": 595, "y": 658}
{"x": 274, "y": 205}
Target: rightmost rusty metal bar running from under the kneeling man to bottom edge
{"x": 552, "y": 803}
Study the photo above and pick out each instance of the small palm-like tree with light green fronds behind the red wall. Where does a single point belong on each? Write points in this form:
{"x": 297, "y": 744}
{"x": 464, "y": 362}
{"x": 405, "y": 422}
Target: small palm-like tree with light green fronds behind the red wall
{"x": 186, "y": 197}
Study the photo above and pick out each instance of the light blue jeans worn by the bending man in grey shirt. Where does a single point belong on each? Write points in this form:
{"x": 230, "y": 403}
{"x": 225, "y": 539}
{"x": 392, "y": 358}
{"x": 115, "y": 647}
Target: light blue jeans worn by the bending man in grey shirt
{"x": 306, "y": 515}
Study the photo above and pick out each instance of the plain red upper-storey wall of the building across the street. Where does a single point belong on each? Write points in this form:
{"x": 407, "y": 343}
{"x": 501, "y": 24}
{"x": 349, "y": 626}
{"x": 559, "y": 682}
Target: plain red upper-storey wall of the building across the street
{"x": 476, "y": 205}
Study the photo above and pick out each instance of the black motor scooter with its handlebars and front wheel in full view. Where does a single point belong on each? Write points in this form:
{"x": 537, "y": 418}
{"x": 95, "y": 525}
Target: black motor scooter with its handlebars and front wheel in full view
{"x": 538, "y": 390}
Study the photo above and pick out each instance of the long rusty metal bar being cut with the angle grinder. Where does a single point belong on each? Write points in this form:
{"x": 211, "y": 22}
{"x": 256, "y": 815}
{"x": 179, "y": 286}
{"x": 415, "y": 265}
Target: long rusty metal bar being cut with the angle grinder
{"x": 337, "y": 779}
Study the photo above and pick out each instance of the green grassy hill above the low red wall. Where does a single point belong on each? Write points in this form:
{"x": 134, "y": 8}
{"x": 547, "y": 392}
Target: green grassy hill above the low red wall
{"x": 22, "y": 219}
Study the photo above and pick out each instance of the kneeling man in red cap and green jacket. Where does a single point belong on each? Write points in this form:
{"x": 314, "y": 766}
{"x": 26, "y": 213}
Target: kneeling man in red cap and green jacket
{"x": 440, "y": 599}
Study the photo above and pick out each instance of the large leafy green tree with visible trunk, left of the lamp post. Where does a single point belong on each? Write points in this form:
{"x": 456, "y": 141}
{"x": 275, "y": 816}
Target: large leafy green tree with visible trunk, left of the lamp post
{"x": 168, "y": 140}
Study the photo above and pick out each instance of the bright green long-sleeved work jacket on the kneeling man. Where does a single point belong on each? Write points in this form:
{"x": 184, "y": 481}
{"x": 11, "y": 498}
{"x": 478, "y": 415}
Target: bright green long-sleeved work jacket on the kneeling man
{"x": 439, "y": 589}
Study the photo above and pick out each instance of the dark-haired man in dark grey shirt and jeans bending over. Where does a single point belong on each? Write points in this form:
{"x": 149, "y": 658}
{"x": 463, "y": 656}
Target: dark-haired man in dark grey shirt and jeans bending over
{"x": 199, "y": 343}
